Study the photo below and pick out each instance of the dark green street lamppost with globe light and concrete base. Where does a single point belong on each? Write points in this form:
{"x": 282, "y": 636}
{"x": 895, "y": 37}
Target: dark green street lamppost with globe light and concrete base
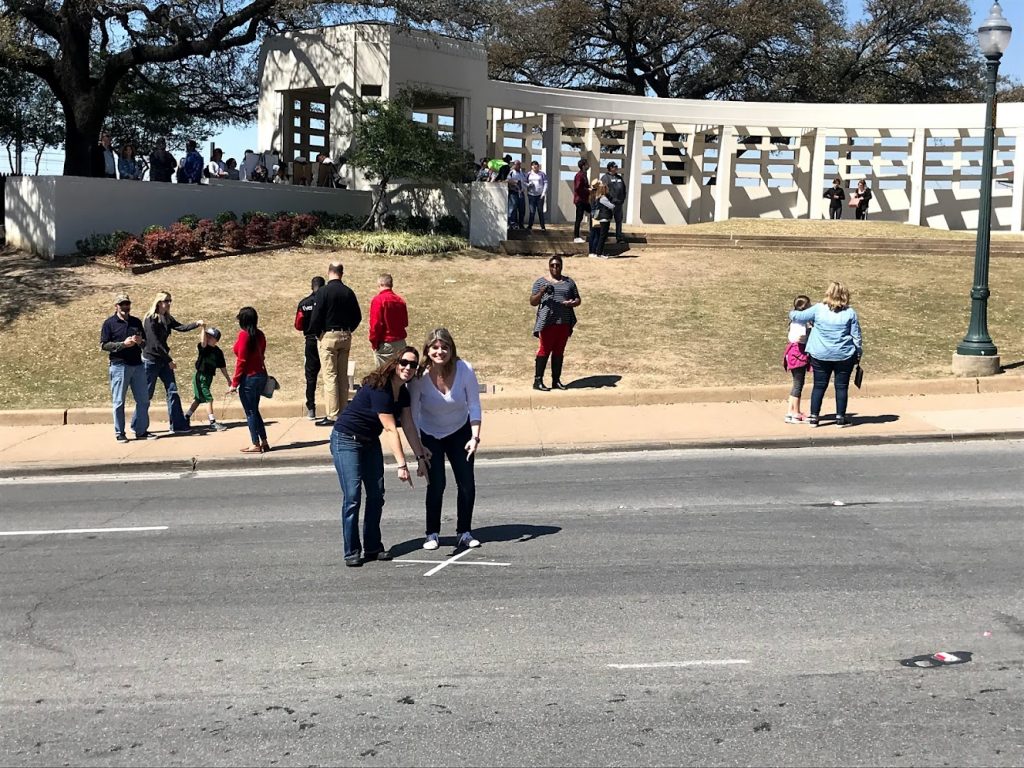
{"x": 976, "y": 355}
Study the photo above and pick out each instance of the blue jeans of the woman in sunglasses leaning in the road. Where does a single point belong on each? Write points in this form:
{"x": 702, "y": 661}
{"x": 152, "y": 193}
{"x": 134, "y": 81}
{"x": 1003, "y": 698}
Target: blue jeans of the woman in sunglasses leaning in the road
{"x": 360, "y": 465}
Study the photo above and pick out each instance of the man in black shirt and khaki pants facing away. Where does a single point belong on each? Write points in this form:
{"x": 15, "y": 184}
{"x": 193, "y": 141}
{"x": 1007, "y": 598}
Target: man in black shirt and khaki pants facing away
{"x": 336, "y": 316}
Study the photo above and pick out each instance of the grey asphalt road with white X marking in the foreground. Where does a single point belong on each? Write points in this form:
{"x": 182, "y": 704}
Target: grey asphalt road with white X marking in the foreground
{"x": 704, "y": 608}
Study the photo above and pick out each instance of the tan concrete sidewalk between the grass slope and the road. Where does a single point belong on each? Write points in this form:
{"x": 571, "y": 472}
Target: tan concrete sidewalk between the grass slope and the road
{"x": 544, "y": 423}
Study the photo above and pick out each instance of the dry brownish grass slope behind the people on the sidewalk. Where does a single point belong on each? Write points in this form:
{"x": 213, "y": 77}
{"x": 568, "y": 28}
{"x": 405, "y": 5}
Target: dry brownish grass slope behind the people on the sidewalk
{"x": 661, "y": 320}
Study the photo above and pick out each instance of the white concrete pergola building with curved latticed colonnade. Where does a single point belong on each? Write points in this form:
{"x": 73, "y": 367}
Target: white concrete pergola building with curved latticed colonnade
{"x": 685, "y": 161}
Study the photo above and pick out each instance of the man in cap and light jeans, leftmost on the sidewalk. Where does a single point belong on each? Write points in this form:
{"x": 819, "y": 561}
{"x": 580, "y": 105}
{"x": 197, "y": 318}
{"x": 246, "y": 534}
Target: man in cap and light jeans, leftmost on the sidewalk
{"x": 122, "y": 337}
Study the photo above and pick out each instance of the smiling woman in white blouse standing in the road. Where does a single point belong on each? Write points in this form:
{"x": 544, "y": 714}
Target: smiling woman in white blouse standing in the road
{"x": 446, "y": 403}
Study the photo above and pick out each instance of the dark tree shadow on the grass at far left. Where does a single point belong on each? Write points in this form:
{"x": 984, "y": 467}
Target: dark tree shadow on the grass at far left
{"x": 27, "y": 283}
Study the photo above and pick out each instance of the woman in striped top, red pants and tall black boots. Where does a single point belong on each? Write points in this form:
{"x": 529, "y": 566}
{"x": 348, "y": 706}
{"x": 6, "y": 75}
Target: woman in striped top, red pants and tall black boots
{"x": 556, "y": 298}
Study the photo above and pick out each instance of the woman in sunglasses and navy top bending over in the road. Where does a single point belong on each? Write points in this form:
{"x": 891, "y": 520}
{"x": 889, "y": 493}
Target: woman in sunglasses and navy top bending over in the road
{"x": 356, "y": 448}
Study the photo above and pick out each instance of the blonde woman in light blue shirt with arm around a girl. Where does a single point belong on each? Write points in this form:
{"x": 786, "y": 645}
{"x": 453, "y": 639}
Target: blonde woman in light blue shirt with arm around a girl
{"x": 834, "y": 348}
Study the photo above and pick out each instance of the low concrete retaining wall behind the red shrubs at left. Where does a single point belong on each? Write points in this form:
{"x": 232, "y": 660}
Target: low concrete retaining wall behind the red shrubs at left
{"x": 48, "y": 216}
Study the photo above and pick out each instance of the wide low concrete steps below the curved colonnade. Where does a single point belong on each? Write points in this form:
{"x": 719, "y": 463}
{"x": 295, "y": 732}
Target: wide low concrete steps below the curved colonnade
{"x": 559, "y": 239}
